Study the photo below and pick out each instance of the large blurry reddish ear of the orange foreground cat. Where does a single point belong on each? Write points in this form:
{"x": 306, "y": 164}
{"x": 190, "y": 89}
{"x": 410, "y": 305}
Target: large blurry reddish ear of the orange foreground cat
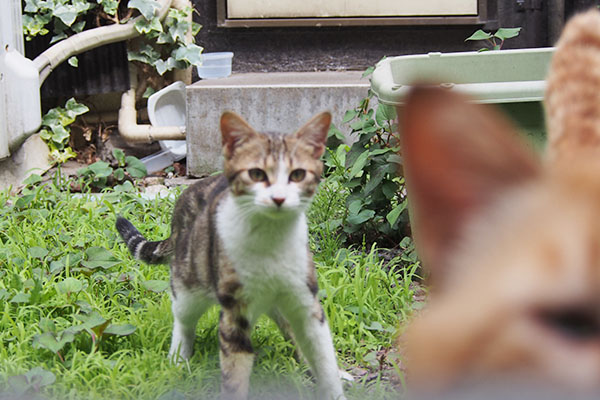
{"x": 459, "y": 157}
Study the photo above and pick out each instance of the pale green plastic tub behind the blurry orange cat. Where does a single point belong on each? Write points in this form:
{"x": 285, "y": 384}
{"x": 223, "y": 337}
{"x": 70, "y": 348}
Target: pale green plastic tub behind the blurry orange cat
{"x": 512, "y": 79}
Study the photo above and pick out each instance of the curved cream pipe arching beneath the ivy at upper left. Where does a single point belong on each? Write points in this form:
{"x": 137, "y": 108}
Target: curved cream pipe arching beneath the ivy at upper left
{"x": 86, "y": 40}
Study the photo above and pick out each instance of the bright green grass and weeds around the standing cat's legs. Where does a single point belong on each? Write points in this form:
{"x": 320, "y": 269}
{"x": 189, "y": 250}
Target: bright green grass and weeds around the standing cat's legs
{"x": 79, "y": 318}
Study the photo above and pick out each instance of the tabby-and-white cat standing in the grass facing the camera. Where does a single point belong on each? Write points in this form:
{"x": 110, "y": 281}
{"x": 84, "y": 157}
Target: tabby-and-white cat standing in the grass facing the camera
{"x": 240, "y": 239}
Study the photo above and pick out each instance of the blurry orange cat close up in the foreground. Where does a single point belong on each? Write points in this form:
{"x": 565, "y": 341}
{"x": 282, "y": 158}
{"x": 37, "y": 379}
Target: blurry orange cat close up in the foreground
{"x": 510, "y": 238}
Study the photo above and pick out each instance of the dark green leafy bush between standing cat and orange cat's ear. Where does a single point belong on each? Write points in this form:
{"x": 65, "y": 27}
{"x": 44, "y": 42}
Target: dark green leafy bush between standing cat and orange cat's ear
{"x": 368, "y": 172}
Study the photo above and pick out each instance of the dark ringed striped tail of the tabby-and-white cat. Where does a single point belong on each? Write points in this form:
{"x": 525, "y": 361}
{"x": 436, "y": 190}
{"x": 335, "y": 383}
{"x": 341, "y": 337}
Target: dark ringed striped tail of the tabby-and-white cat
{"x": 142, "y": 249}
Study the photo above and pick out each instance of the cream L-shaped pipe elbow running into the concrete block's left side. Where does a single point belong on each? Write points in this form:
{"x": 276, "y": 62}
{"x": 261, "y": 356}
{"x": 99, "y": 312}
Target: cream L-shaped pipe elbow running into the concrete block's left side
{"x": 128, "y": 126}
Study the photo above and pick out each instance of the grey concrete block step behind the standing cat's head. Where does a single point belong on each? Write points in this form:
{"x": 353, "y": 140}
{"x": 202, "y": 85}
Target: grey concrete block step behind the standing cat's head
{"x": 280, "y": 102}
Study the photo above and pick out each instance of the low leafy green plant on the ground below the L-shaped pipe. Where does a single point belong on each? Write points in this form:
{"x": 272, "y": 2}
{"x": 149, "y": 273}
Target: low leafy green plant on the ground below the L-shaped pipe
{"x": 101, "y": 174}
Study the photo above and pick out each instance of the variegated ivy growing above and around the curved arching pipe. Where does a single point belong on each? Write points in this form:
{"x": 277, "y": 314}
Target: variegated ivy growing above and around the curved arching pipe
{"x": 166, "y": 44}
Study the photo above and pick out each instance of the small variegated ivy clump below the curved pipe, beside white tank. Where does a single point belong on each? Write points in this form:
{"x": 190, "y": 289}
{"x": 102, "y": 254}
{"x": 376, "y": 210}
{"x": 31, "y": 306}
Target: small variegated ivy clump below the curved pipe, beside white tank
{"x": 55, "y": 129}
